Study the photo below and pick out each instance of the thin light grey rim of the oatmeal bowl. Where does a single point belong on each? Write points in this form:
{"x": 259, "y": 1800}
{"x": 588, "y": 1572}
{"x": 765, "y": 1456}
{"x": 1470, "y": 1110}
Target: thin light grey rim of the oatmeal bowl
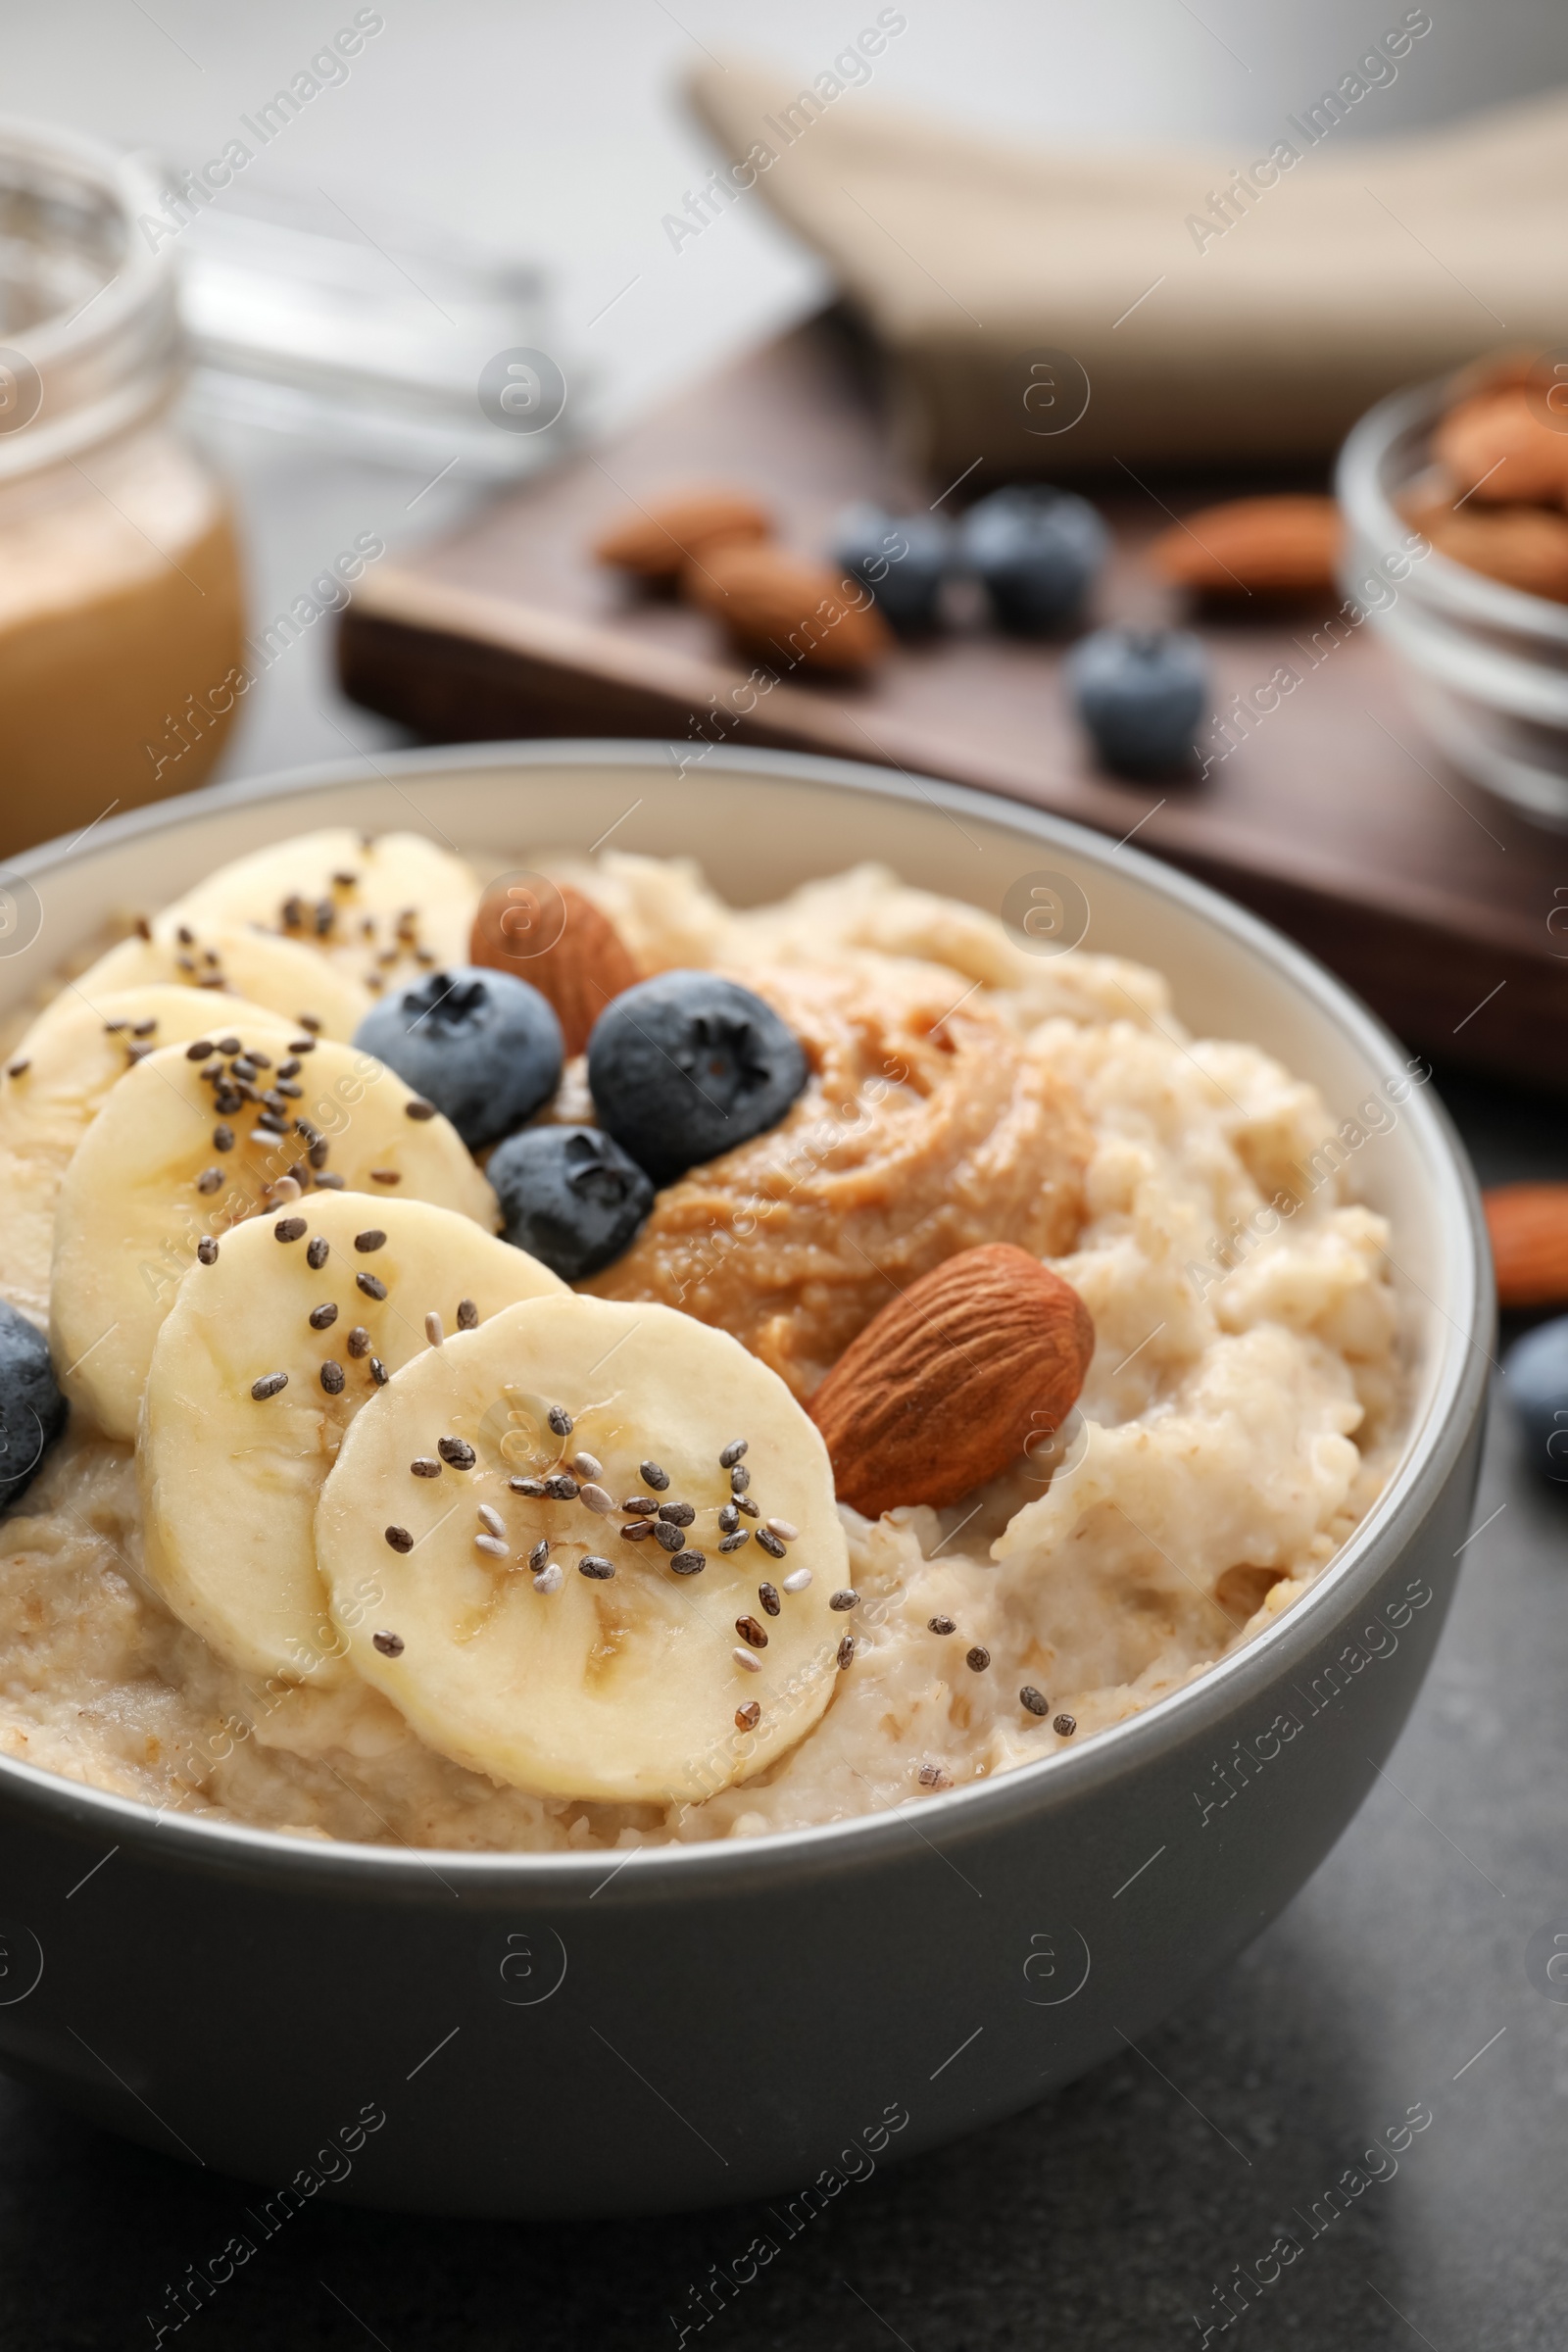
{"x": 965, "y": 1815}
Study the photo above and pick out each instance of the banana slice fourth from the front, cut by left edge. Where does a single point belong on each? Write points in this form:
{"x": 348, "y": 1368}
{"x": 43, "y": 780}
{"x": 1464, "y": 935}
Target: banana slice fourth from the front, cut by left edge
{"x": 53, "y": 1093}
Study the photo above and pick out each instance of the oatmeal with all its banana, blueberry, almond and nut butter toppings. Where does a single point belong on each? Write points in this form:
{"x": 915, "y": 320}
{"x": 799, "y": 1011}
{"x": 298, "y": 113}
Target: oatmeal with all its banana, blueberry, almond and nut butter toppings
{"x": 453, "y": 1422}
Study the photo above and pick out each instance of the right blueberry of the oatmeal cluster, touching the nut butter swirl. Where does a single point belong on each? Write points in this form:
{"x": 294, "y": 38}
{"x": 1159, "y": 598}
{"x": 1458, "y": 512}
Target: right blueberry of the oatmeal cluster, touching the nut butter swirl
{"x": 685, "y": 1067}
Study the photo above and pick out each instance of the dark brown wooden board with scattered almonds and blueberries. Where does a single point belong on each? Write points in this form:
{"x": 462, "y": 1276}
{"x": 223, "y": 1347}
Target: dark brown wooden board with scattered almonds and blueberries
{"x": 1334, "y": 817}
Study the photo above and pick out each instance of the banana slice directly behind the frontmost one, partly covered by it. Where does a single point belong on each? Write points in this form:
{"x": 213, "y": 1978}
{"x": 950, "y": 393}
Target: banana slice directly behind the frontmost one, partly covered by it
{"x": 232, "y": 1476}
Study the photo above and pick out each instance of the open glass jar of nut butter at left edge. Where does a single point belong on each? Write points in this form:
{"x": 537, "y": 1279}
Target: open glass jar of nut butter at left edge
{"x": 121, "y": 610}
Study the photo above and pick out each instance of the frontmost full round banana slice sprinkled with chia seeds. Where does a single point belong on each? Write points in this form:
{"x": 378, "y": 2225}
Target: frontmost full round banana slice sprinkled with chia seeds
{"x": 521, "y": 1631}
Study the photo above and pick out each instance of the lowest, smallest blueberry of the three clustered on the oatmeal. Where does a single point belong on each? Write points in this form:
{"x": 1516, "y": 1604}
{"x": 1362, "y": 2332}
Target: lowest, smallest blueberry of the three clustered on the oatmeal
{"x": 570, "y": 1196}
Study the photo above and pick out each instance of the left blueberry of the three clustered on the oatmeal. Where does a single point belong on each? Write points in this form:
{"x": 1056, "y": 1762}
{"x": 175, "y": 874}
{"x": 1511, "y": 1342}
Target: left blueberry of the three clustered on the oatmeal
{"x": 481, "y": 1045}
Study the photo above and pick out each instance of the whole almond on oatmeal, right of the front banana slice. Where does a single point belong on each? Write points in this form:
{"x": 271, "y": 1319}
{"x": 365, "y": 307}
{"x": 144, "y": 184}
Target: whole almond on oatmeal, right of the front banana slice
{"x": 953, "y": 1379}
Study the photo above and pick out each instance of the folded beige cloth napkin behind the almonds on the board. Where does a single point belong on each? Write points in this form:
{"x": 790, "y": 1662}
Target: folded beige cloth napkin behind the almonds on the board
{"x": 1212, "y": 316}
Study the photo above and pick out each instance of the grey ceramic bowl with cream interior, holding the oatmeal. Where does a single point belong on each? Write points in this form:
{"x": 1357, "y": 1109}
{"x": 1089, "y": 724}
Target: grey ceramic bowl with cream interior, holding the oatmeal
{"x": 577, "y": 2033}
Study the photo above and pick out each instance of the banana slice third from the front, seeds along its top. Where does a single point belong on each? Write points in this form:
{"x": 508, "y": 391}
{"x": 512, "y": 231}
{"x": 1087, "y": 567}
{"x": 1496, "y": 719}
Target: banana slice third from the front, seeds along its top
{"x": 189, "y": 1147}
